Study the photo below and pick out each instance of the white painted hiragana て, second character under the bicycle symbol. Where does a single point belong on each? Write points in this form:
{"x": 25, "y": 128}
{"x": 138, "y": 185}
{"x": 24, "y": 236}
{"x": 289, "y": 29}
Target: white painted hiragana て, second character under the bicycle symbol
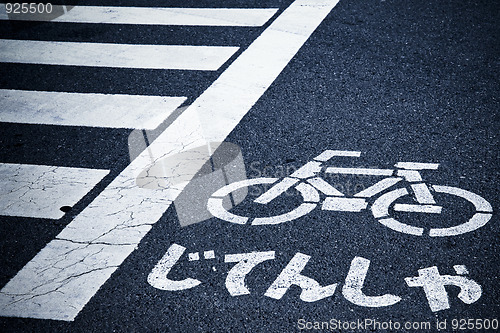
{"x": 235, "y": 280}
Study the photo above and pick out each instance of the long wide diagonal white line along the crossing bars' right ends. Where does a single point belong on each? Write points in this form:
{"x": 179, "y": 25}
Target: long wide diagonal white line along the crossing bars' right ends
{"x": 130, "y": 211}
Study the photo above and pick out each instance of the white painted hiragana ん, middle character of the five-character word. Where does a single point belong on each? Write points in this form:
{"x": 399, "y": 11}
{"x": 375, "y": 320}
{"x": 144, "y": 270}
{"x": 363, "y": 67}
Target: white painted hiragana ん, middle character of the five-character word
{"x": 312, "y": 291}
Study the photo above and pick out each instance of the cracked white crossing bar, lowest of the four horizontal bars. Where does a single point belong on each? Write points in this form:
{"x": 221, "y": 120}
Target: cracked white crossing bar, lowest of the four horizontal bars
{"x": 40, "y": 190}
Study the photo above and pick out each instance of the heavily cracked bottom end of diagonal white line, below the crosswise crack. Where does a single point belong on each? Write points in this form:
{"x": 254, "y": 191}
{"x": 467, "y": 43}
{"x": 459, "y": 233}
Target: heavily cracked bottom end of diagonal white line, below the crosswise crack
{"x": 59, "y": 274}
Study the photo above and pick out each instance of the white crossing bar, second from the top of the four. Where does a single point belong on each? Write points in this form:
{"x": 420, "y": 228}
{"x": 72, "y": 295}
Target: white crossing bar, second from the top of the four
{"x": 115, "y": 55}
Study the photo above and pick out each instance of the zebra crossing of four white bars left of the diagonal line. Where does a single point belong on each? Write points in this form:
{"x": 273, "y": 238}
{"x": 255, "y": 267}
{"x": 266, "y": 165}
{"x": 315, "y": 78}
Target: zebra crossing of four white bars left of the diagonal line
{"x": 105, "y": 110}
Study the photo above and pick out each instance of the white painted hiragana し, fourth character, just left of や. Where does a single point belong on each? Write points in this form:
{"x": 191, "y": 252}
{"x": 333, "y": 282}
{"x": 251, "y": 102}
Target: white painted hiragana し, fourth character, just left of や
{"x": 354, "y": 283}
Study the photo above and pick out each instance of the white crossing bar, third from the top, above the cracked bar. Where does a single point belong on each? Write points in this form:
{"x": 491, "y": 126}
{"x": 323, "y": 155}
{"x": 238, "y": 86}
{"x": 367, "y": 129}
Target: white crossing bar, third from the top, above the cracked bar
{"x": 95, "y": 110}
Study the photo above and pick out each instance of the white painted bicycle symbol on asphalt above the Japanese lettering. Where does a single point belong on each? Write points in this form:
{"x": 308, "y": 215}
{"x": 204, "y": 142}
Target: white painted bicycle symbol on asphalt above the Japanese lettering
{"x": 307, "y": 182}
